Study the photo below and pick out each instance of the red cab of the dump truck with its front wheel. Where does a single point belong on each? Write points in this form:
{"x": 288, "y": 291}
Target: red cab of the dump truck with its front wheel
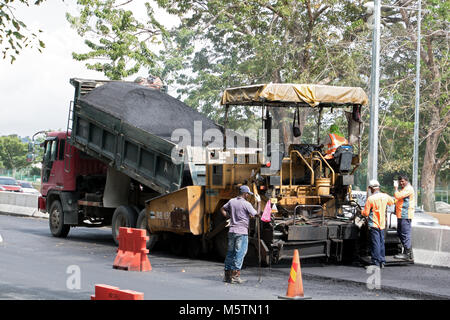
{"x": 67, "y": 176}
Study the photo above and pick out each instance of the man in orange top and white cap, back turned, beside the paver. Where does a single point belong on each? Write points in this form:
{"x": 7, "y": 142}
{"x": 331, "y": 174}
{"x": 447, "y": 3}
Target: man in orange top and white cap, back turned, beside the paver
{"x": 375, "y": 210}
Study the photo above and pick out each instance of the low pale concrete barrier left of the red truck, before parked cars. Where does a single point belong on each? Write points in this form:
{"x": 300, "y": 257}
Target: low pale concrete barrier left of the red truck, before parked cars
{"x": 17, "y": 203}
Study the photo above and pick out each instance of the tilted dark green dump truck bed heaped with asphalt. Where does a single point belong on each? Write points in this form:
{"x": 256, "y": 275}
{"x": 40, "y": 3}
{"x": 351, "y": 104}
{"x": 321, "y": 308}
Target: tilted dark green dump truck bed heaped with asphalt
{"x": 129, "y": 127}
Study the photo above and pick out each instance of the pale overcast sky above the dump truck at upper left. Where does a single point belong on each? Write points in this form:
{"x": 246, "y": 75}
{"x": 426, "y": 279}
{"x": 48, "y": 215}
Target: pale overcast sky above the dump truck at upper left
{"x": 35, "y": 92}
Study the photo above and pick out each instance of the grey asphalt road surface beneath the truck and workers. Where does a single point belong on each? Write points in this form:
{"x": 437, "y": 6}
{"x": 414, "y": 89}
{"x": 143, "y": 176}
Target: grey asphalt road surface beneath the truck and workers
{"x": 35, "y": 265}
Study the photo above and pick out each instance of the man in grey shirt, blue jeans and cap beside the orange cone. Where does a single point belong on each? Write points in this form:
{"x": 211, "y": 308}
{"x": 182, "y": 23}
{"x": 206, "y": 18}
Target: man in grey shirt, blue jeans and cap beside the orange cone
{"x": 239, "y": 211}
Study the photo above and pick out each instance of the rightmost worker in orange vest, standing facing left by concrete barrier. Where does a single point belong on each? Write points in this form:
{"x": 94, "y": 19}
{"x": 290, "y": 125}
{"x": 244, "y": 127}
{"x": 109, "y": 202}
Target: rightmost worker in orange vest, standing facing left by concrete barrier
{"x": 404, "y": 210}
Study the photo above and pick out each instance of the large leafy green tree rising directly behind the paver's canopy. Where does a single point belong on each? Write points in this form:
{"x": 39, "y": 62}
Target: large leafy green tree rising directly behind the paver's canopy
{"x": 261, "y": 41}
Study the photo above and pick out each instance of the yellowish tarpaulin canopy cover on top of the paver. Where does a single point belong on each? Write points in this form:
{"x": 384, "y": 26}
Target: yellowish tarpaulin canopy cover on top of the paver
{"x": 312, "y": 94}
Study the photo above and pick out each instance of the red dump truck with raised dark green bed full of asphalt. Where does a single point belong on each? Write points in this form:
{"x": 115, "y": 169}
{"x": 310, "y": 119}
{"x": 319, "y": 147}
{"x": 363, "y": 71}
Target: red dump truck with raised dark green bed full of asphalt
{"x": 100, "y": 171}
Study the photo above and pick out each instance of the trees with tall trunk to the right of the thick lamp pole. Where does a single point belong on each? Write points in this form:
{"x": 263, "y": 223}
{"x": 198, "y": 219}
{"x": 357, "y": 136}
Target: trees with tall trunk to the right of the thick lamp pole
{"x": 398, "y": 82}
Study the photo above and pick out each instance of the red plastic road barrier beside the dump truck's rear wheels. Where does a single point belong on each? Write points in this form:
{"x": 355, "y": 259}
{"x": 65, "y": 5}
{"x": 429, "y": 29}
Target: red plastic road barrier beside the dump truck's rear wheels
{"x": 132, "y": 252}
